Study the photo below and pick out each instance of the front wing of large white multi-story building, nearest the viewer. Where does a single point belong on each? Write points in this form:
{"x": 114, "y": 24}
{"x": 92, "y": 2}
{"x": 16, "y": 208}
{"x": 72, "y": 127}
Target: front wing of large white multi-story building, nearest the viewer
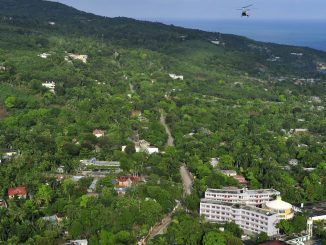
{"x": 249, "y": 218}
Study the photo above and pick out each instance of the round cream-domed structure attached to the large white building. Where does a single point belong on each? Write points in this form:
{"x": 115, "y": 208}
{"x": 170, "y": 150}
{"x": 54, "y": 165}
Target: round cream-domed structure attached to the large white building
{"x": 283, "y": 209}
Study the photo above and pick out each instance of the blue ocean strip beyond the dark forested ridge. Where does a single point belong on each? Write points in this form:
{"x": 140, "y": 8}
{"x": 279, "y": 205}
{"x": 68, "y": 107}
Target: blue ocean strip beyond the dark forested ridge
{"x": 307, "y": 33}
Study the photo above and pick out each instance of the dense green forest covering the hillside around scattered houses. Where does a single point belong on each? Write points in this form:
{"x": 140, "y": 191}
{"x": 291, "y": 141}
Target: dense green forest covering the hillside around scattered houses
{"x": 254, "y": 106}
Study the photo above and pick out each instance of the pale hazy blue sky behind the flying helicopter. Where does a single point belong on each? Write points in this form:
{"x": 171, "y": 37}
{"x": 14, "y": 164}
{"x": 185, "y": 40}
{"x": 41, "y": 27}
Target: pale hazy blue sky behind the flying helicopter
{"x": 202, "y": 9}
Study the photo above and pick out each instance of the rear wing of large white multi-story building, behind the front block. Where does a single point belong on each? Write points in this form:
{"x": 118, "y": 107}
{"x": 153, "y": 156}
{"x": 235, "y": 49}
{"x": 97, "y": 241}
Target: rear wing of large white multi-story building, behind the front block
{"x": 242, "y": 196}
